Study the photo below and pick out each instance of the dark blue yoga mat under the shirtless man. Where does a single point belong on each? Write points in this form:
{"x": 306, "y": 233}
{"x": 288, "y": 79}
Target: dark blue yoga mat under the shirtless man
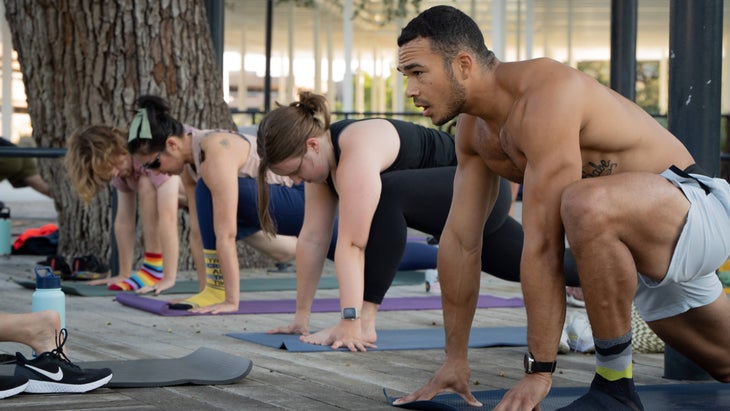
{"x": 664, "y": 397}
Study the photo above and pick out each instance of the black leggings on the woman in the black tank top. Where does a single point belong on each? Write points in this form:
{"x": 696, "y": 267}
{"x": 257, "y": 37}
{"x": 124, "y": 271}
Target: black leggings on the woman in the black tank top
{"x": 420, "y": 199}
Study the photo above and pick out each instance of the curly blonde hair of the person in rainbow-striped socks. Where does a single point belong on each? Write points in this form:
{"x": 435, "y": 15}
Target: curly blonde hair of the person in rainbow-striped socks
{"x": 90, "y": 151}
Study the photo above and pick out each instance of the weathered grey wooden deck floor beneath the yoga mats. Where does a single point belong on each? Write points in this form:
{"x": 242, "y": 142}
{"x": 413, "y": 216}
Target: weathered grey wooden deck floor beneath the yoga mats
{"x": 101, "y": 329}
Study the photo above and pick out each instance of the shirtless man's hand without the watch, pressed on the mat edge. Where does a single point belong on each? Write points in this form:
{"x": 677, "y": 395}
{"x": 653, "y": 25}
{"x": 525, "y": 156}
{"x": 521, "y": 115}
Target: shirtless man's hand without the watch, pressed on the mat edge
{"x": 452, "y": 376}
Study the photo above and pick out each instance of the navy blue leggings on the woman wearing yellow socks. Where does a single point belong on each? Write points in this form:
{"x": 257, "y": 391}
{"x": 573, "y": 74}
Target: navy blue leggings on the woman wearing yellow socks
{"x": 286, "y": 205}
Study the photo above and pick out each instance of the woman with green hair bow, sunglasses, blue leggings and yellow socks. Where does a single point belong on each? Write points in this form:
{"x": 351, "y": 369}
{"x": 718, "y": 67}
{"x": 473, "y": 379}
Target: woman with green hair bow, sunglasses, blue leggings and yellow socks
{"x": 219, "y": 170}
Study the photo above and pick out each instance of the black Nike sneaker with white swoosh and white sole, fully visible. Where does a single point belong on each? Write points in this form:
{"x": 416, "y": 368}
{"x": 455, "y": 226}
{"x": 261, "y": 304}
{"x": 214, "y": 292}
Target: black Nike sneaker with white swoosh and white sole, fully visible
{"x": 53, "y": 372}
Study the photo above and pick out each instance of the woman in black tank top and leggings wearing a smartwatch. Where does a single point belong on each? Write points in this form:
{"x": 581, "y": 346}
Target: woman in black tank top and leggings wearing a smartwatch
{"x": 378, "y": 177}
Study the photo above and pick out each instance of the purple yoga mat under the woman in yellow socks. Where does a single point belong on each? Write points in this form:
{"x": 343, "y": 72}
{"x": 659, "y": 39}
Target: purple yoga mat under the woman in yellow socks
{"x": 160, "y": 307}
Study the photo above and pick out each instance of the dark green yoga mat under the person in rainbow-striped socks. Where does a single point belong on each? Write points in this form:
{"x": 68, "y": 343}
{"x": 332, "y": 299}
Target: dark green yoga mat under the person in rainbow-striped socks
{"x": 247, "y": 284}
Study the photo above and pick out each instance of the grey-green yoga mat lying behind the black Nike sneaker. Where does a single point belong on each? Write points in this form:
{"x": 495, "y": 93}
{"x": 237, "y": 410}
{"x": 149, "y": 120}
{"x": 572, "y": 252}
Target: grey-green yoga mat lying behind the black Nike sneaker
{"x": 205, "y": 366}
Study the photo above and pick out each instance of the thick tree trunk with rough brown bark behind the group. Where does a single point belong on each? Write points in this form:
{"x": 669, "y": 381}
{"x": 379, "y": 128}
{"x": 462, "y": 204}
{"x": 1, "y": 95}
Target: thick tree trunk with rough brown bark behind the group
{"x": 85, "y": 62}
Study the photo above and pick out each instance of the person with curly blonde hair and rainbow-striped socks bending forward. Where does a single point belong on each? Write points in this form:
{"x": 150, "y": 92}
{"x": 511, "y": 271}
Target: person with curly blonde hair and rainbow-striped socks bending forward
{"x": 97, "y": 155}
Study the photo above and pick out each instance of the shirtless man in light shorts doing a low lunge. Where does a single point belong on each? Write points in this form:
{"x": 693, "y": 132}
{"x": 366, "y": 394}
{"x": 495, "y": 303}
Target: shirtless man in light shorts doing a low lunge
{"x": 594, "y": 167}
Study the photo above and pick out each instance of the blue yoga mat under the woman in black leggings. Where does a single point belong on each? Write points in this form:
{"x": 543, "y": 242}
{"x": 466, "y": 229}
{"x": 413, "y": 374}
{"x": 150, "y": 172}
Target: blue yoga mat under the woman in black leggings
{"x": 418, "y": 339}
